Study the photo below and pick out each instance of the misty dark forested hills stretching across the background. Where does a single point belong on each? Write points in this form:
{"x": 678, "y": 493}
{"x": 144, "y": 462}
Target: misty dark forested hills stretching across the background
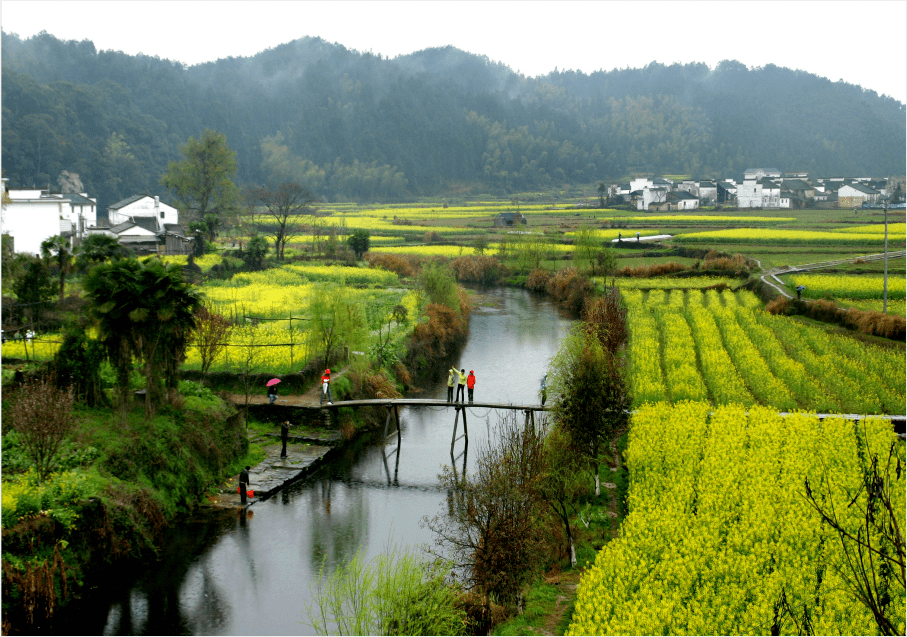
{"x": 354, "y": 125}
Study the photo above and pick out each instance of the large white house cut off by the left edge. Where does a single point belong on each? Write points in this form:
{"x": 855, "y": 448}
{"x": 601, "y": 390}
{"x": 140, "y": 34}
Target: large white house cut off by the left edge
{"x": 30, "y": 216}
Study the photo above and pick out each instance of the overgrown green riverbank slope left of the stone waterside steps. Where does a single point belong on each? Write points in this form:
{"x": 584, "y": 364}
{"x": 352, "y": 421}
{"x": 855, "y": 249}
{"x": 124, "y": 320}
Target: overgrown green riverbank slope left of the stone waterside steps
{"x": 117, "y": 484}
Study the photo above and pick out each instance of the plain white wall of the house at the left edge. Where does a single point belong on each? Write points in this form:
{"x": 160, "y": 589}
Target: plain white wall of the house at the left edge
{"x": 30, "y": 219}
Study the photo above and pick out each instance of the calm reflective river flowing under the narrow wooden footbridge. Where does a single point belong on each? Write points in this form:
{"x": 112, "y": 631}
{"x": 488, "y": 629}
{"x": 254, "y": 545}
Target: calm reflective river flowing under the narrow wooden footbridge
{"x": 221, "y": 574}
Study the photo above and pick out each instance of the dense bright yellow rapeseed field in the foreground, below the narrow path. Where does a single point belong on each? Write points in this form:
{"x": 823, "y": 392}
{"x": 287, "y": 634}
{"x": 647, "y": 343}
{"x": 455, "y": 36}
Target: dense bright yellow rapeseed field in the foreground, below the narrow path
{"x": 719, "y": 530}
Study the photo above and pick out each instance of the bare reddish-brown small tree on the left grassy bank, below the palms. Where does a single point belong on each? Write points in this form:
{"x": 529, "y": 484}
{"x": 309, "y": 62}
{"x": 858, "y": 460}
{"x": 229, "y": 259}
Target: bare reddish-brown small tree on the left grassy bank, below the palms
{"x": 42, "y": 414}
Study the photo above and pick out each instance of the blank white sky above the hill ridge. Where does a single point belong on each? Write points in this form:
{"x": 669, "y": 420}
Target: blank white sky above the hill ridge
{"x": 860, "y": 42}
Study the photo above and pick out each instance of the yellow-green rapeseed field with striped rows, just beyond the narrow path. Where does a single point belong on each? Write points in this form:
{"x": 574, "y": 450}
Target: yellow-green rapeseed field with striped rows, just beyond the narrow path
{"x": 720, "y": 347}
